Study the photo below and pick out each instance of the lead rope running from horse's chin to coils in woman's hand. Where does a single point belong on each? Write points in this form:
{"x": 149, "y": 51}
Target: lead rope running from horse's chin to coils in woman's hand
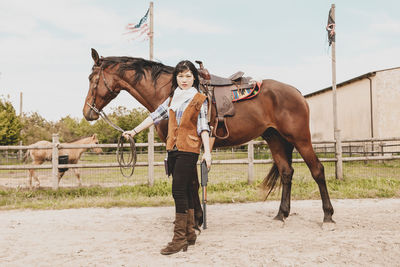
{"x": 124, "y": 164}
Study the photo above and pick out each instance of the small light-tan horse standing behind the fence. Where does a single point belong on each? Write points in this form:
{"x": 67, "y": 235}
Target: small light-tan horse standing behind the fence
{"x": 39, "y": 156}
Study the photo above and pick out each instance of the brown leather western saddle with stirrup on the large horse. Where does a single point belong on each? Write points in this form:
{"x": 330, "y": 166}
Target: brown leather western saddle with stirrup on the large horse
{"x": 219, "y": 90}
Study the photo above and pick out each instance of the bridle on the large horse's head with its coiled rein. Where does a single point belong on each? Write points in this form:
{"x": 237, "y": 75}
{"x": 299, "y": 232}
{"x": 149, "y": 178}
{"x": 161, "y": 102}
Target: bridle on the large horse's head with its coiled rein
{"x": 124, "y": 164}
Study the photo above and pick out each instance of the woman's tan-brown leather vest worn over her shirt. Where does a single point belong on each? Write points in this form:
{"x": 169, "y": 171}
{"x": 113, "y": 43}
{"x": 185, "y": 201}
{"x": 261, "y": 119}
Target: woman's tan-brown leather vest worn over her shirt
{"x": 184, "y": 136}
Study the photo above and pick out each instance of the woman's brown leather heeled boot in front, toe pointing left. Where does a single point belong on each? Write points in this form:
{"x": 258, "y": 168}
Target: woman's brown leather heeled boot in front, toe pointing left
{"x": 179, "y": 241}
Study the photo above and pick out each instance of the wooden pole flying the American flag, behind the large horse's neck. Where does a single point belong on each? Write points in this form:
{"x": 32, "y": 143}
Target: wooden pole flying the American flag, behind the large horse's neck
{"x": 150, "y": 136}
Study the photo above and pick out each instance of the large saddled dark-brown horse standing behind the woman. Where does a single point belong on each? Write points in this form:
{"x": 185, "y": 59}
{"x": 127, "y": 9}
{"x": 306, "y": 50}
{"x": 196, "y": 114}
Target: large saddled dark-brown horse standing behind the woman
{"x": 279, "y": 114}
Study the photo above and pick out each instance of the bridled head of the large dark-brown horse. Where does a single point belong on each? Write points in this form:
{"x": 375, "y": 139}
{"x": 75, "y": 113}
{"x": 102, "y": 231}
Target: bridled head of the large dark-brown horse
{"x": 103, "y": 87}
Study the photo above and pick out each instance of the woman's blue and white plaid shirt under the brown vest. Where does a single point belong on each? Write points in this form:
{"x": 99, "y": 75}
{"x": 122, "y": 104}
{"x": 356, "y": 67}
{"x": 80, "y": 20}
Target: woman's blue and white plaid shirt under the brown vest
{"x": 162, "y": 113}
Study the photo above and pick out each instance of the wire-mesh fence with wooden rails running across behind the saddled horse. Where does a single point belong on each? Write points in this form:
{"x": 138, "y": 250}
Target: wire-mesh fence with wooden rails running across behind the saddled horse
{"x": 247, "y": 163}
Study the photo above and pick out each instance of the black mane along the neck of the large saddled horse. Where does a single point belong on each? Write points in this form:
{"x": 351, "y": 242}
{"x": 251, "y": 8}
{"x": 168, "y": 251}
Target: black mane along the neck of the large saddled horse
{"x": 138, "y": 65}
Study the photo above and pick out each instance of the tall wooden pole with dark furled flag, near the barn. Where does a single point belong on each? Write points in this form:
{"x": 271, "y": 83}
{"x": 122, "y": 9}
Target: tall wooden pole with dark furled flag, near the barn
{"x": 339, "y": 162}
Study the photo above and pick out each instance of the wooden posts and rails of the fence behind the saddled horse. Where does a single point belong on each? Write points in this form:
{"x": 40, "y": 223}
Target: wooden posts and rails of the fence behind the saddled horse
{"x": 356, "y": 150}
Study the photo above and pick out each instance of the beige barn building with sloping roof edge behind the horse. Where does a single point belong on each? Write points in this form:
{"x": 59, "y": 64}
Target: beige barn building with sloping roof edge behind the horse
{"x": 368, "y": 106}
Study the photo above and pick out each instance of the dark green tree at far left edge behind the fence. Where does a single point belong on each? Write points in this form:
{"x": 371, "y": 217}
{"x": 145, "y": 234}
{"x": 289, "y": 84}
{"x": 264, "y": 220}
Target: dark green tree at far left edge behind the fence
{"x": 10, "y": 124}
